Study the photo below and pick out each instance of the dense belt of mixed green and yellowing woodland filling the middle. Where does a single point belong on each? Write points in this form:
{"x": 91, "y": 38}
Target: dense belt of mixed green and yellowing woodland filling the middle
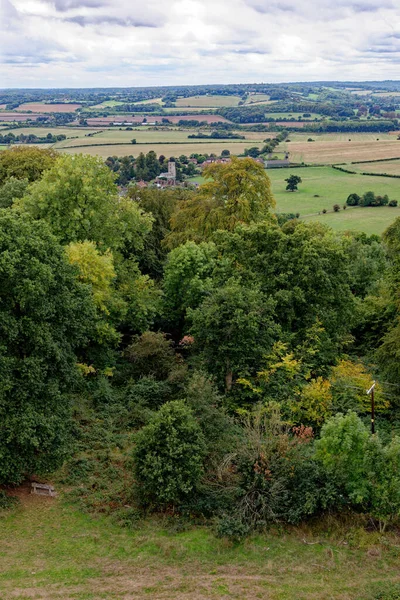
{"x": 183, "y": 350}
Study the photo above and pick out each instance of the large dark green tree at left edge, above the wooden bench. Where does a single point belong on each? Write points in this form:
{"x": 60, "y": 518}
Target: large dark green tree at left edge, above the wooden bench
{"x": 46, "y": 315}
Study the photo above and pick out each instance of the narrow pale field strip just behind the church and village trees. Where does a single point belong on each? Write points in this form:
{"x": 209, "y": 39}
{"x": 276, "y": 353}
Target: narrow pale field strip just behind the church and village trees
{"x": 171, "y": 149}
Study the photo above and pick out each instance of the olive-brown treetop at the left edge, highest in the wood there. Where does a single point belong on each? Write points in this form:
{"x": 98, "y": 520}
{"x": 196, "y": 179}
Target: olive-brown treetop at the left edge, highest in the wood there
{"x": 25, "y": 163}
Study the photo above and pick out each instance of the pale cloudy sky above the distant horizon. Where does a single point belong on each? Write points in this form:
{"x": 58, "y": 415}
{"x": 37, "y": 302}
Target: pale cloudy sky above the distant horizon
{"x": 88, "y": 43}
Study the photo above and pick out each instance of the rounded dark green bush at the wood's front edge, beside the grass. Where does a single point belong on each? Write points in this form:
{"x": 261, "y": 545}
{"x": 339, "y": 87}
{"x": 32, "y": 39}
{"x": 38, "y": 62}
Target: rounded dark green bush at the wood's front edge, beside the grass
{"x": 168, "y": 457}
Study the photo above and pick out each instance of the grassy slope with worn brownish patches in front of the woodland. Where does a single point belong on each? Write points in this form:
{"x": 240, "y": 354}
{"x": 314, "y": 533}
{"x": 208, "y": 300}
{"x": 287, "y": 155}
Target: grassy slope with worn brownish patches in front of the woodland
{"x": 49, "y": 550}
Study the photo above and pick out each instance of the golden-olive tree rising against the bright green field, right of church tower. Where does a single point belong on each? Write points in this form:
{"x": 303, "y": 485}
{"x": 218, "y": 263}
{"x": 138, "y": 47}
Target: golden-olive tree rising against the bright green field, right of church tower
{"x": 238, "y": 192}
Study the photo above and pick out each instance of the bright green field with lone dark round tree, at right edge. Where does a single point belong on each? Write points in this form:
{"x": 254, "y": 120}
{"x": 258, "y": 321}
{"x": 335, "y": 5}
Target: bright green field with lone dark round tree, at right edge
{"x": 333, "y": 187}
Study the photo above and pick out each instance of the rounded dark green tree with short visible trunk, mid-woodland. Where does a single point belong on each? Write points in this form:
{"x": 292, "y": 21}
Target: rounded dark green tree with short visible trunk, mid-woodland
{"x": 233, "y": 328}
